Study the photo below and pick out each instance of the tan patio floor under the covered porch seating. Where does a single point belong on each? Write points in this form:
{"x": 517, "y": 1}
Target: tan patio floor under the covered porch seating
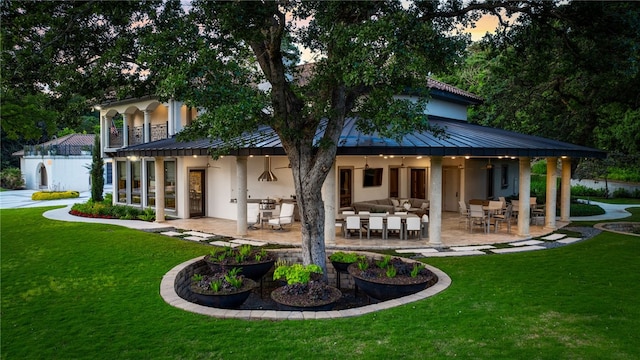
{"x": 453, "y": 234}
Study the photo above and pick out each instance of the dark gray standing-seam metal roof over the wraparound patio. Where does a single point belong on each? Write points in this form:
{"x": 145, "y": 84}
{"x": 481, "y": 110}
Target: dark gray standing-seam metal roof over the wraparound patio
{"x": 461, "y": 139}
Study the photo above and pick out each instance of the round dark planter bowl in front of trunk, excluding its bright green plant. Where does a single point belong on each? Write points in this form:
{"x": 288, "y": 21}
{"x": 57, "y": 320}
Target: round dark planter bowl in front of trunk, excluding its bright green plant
{"x": 287, "y": 299}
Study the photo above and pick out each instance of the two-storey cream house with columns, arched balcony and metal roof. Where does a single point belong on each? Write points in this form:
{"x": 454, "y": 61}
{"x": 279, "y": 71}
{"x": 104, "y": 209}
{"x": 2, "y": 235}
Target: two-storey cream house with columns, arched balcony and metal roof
{"x": 470, "y": 162}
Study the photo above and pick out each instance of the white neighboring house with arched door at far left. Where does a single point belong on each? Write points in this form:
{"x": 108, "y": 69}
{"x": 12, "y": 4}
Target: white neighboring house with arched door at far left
{"x": 59, "y": 164}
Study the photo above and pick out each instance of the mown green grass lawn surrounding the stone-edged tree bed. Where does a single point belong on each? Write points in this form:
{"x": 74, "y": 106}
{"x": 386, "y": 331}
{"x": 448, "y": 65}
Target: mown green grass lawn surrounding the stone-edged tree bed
{"x": 73, "y": 290}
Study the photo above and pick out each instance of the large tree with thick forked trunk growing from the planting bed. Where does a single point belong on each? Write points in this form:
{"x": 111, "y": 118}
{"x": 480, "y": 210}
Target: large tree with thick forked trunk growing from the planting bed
{"x": 366, "y": 52}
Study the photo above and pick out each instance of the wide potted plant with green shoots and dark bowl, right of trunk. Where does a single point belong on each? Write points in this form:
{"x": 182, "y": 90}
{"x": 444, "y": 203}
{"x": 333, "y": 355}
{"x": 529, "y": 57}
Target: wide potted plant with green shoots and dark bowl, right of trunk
{"x": 390, "y": 278}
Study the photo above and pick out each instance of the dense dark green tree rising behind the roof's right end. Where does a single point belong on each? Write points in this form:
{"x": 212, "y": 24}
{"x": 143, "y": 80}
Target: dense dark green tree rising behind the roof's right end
{"x": 568, "y": 72}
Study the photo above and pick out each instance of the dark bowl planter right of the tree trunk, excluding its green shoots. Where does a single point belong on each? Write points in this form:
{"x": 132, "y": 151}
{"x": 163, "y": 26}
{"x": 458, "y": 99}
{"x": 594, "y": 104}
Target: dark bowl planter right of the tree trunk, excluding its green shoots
{"x": 380, "y": 287}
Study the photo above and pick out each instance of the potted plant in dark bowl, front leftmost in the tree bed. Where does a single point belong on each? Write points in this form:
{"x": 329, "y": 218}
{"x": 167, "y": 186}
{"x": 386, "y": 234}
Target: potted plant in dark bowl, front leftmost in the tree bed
{"x": 222, "y": 290}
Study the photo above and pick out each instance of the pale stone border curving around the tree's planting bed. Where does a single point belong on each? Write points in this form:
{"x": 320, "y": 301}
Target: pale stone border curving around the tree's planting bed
{"x": 171, "y": 297}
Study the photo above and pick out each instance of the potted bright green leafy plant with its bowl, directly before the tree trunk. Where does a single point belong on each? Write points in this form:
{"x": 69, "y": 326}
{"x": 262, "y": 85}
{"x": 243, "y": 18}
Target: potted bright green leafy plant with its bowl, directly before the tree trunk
{"x": 303, "y": 290}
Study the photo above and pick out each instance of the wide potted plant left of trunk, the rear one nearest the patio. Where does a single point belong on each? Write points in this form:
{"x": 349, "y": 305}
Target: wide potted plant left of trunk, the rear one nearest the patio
{"x": 254, "y": 262}
